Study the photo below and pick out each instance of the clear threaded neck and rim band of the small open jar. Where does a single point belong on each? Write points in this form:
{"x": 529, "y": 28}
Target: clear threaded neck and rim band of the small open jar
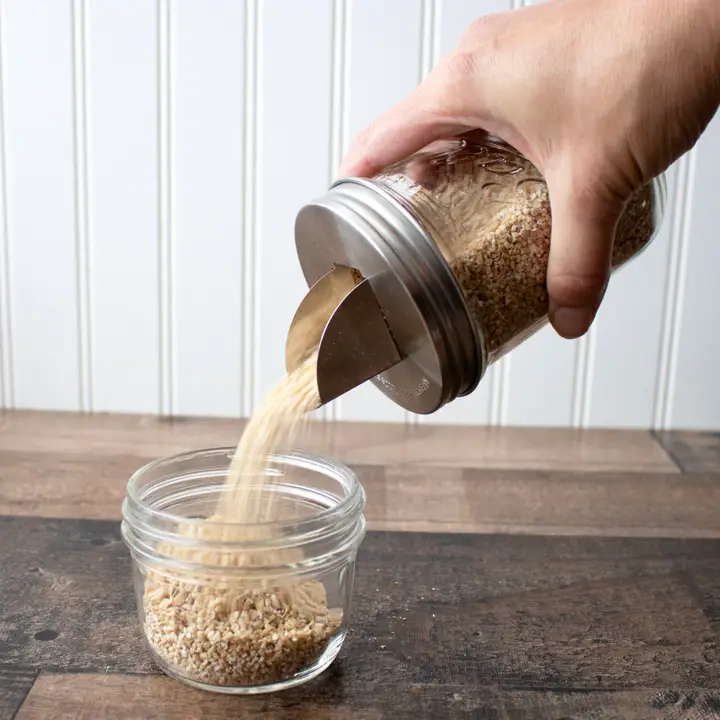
{"x": 163, "y": 541}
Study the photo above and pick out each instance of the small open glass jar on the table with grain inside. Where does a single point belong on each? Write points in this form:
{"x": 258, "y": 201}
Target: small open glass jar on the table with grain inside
{"x": 241, "y": 608}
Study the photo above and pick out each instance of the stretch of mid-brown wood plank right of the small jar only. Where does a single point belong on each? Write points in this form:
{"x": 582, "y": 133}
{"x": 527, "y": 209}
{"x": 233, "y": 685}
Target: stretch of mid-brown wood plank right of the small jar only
{"x": 403, "y": 498}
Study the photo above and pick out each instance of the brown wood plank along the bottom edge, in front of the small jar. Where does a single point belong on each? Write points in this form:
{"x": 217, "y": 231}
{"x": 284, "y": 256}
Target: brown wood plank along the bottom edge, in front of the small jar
{"x": 112, "y": 697}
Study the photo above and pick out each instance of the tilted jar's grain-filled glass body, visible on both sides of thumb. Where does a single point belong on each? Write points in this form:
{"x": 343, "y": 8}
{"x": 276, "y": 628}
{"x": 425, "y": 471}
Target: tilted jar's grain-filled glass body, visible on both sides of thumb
{"x": 487, "y": 209}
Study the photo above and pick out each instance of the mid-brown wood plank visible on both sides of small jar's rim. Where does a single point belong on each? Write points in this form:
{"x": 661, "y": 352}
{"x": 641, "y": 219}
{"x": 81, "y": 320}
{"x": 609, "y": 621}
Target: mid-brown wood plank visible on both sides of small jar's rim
{"x": 408, "y": 498}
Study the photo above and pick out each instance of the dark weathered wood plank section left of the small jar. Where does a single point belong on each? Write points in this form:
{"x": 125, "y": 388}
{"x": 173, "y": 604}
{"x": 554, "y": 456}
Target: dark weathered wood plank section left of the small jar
{"x": 66, "y": 598}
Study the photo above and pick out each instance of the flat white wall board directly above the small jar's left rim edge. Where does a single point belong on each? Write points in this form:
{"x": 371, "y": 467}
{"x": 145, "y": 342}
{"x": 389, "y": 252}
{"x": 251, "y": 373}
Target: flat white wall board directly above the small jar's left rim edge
{"x": 116, "y": 165}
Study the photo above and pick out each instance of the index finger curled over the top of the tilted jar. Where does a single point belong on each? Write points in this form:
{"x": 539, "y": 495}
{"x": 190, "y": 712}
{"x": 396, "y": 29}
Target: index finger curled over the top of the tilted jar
{"x": 409, "y": 126}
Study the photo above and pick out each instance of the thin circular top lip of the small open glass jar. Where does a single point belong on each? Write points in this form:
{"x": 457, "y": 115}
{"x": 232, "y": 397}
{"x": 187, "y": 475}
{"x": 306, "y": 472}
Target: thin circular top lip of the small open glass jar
{"x": 354, "y": 500}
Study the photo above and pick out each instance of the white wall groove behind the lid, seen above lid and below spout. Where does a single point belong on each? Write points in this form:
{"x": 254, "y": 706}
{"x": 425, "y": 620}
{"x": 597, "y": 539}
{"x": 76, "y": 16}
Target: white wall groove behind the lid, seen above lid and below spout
{"x": 338, "y": 125}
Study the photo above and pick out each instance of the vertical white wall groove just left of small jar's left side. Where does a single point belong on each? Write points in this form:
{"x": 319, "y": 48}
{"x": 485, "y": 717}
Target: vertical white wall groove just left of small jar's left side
{"x": 81, "y": 208}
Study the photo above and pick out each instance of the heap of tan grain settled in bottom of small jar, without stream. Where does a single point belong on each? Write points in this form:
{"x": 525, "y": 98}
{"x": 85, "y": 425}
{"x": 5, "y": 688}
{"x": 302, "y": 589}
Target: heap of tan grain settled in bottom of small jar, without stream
{"x": 235, "y": 636}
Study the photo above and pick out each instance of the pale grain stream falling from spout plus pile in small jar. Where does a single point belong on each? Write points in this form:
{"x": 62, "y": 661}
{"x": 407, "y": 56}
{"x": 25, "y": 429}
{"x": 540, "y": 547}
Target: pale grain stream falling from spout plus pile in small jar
{"x": 223, "y": 628}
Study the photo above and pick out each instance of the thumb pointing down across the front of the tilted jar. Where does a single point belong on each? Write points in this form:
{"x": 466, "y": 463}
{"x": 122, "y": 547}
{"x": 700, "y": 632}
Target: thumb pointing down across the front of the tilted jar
{"x": 584, "y": 219}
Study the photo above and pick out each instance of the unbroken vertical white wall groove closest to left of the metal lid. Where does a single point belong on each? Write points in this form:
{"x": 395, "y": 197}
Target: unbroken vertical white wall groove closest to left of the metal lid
{"x": 250, "y": 200}
